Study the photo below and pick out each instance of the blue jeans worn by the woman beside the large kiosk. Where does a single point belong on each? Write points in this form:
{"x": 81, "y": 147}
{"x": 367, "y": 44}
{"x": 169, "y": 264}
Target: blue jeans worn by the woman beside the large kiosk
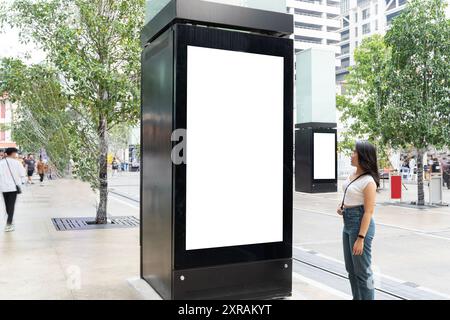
{"x": 358, "y": 267}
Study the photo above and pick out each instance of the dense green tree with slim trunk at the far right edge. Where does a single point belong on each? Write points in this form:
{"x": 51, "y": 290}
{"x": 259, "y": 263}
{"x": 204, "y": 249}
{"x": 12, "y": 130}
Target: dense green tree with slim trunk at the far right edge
{"x": 419, "y": 103}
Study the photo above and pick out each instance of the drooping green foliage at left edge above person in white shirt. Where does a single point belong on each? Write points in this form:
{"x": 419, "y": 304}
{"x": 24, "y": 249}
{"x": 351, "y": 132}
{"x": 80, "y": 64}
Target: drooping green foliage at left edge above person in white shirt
{"x": 40, "y": 119}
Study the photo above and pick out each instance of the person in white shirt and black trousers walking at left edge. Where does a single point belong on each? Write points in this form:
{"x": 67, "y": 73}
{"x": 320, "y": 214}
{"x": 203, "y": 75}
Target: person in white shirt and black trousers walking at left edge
{"x": 12, "y": 175}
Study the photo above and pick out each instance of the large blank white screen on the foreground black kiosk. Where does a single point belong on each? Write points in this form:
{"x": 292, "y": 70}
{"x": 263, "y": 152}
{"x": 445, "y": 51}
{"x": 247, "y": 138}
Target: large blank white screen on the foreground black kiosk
{"x": 234, "y": 148}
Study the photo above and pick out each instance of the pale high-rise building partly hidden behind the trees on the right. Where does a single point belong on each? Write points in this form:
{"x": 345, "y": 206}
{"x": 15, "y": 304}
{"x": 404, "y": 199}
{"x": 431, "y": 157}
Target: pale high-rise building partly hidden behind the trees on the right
{"x": 359, "y": 19}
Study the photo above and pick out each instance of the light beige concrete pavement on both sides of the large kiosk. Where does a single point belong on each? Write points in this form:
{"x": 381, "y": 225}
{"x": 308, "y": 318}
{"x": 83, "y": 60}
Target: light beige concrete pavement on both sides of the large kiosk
{"x": 38, "y": 262}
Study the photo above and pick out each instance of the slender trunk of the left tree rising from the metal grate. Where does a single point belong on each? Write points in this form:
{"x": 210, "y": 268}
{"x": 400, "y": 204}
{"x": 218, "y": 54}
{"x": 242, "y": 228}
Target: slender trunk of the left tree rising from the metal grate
{"x": 103, "y": 172}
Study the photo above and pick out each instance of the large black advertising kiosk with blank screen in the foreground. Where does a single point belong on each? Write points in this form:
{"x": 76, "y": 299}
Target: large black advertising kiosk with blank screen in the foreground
{"x": 217, "y": 147}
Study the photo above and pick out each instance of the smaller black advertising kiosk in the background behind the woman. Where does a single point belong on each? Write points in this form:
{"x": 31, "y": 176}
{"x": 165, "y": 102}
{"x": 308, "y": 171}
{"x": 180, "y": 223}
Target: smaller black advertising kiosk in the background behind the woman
{"x": 315, "y": 157}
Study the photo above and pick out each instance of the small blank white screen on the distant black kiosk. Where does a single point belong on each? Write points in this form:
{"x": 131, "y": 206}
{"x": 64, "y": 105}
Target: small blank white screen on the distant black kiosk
{"x": 324, "y": 156}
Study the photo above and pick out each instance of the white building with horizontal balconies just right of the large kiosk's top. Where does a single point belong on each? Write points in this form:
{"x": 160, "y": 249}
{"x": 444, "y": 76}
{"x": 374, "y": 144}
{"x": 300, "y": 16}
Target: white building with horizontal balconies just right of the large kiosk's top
{"x": 316, "y": 24}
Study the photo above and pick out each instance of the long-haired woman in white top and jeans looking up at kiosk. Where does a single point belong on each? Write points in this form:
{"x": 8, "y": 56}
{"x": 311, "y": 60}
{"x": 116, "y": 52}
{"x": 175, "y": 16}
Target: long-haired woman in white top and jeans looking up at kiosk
{"x": 357, "y": 209}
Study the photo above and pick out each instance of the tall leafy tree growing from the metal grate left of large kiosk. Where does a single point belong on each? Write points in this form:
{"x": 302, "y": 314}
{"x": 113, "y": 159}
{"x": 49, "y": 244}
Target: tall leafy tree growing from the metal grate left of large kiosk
{"x": 94, "y": 45}
